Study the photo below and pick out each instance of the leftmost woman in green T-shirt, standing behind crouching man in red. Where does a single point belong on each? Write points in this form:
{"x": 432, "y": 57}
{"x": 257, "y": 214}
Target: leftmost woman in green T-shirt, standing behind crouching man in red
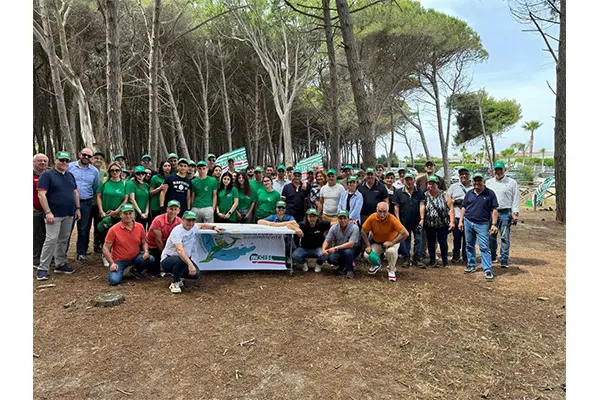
{"x": 110, "y": 197}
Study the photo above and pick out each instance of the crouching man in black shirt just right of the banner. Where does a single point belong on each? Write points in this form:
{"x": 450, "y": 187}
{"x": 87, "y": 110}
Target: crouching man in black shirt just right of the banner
{"x": 313, "y": 229}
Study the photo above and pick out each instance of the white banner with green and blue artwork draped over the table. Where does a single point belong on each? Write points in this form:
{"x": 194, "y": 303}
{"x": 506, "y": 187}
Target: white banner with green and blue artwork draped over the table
{"x": 241, "y": 247}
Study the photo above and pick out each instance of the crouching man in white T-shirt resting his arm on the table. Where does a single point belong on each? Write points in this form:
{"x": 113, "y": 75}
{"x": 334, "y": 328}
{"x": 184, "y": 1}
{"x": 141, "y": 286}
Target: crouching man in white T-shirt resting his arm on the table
{"x": 176, "y": 257}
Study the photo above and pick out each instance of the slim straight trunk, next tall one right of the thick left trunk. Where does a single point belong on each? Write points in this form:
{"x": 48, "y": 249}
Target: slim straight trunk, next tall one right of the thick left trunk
{"x": 153, "y": 83}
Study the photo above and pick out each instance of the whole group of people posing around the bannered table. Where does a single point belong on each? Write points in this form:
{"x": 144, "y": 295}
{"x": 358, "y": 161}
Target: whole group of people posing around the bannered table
{"x": 148, "y": 219}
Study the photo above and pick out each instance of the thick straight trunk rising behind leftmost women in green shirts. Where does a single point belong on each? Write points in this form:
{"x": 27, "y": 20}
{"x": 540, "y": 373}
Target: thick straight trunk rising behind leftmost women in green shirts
{"x": 113, "y": 77}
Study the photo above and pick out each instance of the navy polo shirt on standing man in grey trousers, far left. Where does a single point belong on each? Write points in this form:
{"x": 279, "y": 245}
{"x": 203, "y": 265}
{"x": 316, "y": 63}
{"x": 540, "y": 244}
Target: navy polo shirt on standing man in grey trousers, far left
{"x": 59, "y": 192}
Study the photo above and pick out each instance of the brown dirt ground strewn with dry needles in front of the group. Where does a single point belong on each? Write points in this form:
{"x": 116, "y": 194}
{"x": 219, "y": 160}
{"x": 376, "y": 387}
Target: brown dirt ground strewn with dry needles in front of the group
{"x": 434, "y": 334}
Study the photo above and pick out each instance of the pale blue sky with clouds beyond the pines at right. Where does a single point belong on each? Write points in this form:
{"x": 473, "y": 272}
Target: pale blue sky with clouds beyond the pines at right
{"x": 517, "y": 68}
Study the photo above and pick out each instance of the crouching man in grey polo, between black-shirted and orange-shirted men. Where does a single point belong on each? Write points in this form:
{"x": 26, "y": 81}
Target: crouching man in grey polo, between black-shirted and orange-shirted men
{"x": 345, "y": 237}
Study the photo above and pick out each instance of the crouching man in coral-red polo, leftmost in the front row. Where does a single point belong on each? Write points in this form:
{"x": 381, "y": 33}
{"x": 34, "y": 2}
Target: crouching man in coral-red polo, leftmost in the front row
{"x": 122, "y": 247}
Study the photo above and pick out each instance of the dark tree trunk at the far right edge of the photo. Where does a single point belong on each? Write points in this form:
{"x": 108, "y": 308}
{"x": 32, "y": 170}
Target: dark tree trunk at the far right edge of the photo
{"x": 560, "y": 121}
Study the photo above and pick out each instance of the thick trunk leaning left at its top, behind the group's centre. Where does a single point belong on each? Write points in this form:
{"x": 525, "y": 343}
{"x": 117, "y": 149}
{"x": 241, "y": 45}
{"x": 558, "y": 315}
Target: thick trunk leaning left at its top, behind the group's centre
{"x": 365, "y": 121}
